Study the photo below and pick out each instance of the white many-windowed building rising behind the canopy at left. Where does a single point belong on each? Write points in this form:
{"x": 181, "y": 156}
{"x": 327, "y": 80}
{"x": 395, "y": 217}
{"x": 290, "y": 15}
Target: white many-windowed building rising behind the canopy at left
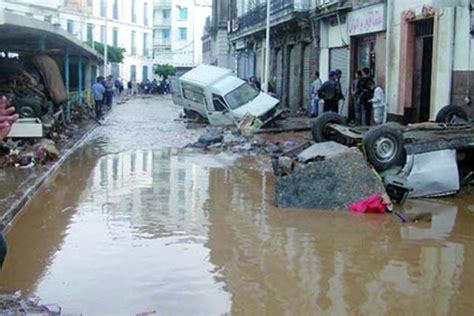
{"x": 122, "y": 23}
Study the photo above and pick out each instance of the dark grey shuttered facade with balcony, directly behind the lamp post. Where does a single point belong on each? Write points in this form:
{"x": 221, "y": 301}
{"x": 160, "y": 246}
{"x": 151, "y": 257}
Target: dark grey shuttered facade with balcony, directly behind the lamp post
{"x": 293, "y": 51}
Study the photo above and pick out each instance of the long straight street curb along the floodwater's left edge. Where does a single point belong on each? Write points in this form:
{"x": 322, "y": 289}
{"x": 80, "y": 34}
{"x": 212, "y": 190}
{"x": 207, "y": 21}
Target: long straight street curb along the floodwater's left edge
{"x": 14, "y": 209}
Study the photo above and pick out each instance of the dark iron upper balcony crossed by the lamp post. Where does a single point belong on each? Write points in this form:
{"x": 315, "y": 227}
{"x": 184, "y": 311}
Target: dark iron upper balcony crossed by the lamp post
{"x": 281, "y": 11}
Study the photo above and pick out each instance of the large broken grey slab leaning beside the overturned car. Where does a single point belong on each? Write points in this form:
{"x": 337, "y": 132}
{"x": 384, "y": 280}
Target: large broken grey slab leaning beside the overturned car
{"x": 330, "y": 184}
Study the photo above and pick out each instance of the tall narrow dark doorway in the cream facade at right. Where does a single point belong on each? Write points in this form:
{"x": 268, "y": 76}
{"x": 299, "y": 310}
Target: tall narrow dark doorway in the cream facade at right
{"x": 422, "y": 71}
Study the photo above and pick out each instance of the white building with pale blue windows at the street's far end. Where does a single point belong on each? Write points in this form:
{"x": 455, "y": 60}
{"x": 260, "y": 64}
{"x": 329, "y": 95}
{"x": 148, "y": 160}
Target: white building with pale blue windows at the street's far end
{"x": 178, "y": 26}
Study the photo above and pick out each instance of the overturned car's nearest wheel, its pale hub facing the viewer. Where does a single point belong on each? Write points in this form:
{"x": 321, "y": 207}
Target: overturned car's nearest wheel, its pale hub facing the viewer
{"x": 384, "y": 146}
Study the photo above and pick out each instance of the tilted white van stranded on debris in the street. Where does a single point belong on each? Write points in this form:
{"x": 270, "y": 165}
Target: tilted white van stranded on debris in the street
{"x": 217, "y": 95}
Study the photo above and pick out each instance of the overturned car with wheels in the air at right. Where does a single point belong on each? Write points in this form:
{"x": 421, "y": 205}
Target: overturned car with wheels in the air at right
{"x": 419, "y": 160}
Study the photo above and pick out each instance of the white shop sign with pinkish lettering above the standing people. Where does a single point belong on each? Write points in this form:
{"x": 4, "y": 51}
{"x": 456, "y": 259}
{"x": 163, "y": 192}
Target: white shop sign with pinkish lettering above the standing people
{"x": 366, "y": 20}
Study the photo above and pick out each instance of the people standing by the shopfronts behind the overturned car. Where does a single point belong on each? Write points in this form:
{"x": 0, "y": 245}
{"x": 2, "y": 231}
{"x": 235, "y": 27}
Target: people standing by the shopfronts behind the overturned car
{"x": 368, "y": 97}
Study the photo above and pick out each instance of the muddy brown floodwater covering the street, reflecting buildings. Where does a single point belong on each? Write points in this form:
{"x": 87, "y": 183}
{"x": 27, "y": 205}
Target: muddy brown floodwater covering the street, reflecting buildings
{"x": 131, "y": 224}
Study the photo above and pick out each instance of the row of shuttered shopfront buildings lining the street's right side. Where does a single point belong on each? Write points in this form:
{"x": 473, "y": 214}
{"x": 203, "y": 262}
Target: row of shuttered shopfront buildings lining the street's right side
{"x": 419, "y": 51}
